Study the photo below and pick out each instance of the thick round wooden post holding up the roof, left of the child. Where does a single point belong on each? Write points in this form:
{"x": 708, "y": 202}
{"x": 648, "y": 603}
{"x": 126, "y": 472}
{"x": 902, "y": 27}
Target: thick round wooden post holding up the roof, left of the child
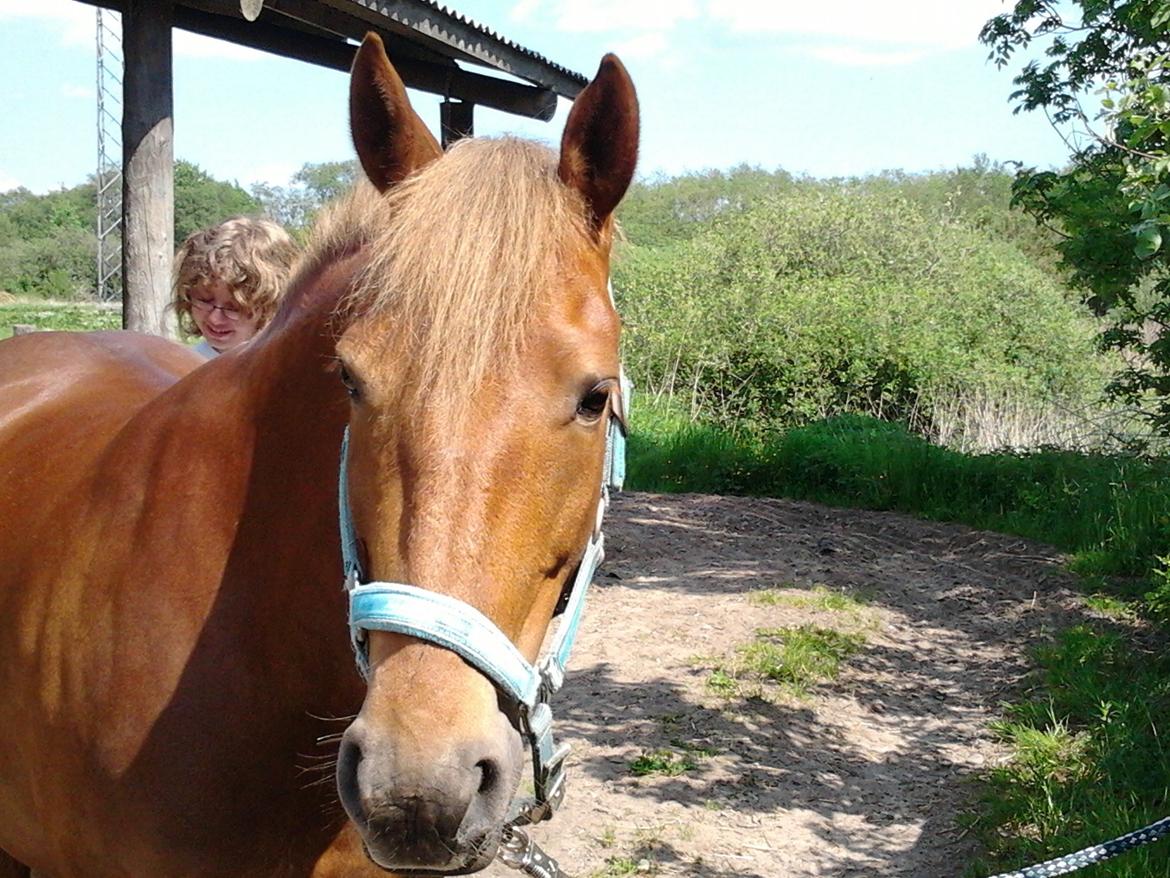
{"x": 148, "y": 163}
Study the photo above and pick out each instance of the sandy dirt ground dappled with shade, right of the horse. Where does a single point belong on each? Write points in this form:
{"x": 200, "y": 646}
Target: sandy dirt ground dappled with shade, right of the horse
{"x": 866, "y": 777}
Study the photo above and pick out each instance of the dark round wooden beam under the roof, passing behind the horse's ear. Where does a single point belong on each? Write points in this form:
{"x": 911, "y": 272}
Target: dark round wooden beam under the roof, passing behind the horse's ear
{"x": 446, "y": 80}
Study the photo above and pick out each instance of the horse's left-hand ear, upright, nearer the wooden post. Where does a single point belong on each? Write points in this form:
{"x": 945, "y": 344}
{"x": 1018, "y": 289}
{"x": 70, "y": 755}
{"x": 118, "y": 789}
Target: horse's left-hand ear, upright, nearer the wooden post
{"x": 390, "y": 138}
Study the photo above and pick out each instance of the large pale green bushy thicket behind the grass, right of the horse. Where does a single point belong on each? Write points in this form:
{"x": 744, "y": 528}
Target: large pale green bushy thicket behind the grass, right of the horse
{"x": 759, "y": 301}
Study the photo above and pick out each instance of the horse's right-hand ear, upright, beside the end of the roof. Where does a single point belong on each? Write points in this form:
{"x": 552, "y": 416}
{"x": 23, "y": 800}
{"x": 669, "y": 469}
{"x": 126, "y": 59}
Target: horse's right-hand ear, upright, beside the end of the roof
{"x": 600, "y": 148}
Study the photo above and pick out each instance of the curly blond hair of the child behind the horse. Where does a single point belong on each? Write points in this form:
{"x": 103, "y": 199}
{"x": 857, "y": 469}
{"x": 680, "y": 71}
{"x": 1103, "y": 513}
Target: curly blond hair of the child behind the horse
{"x": 252, "y": 257}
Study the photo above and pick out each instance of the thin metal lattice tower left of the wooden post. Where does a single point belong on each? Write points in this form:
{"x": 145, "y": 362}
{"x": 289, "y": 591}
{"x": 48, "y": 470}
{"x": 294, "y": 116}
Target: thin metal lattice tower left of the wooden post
{"x": 109, "y": 155}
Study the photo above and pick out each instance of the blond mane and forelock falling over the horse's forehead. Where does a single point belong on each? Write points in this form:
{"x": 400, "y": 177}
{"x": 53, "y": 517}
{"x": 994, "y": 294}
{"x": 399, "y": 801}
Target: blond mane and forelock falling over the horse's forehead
{"x": 463, "y": 253}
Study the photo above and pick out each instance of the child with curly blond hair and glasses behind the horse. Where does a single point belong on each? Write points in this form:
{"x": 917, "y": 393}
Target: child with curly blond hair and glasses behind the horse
{"x": 229, "y": 280}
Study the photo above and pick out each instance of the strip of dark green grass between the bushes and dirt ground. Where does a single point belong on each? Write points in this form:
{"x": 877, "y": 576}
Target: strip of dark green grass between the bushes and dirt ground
{"x": 1111, "y": 512}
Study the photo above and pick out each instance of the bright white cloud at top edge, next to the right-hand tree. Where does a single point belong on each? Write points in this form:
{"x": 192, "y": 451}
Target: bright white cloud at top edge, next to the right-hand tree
{"x": 928, "y": 24}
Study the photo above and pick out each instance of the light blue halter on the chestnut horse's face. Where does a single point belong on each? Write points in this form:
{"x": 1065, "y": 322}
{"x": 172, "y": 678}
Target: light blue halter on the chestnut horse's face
{"x": 460, "y": 628}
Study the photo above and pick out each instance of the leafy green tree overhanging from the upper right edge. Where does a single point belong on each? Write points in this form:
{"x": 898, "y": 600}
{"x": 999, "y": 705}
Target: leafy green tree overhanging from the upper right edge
{"x": 1112, "y": 204}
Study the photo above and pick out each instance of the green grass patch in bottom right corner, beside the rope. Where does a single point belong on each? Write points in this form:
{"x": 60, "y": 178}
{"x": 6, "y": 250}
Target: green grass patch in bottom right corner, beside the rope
{"x": 1089, "y": 757}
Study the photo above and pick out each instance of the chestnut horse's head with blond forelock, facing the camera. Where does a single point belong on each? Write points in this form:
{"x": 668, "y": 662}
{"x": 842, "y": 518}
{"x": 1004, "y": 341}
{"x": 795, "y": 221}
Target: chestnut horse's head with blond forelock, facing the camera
{"x": 480, "y": 354}
